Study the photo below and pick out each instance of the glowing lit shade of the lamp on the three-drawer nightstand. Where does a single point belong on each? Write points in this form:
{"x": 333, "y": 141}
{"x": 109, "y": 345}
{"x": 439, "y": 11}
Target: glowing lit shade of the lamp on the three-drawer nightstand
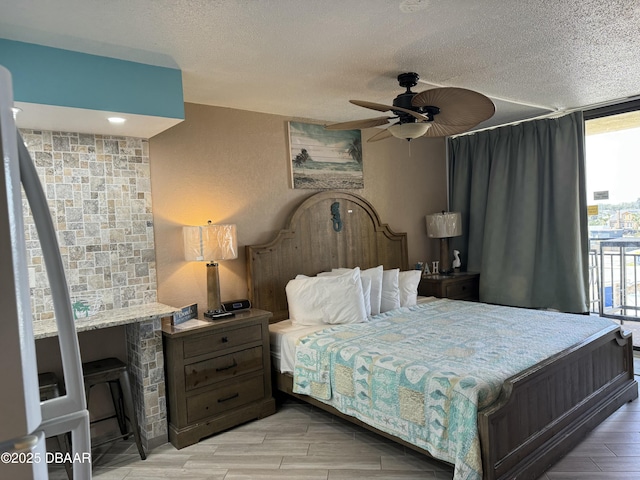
{"x": 210, "y": 242}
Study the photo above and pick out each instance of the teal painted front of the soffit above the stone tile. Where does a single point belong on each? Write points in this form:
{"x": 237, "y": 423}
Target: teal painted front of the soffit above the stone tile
{"x": 52, "y": 76}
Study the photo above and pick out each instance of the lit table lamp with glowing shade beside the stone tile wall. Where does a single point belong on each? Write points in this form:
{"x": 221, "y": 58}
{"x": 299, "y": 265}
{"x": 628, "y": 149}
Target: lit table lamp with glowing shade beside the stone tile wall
{"x": 211, "y": 243}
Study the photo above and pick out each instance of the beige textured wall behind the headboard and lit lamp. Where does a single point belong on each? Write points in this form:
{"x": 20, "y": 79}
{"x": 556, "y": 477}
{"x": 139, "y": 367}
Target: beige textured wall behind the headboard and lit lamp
{"x": 232, "y": 166}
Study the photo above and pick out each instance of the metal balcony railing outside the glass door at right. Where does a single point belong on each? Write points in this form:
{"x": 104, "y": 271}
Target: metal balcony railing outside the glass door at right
{"x": 615, "y": 278}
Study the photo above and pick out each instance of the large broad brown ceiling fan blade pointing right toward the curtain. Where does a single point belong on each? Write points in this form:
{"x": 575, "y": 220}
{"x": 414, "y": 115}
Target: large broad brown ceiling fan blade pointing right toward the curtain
{"x": 458, "y": 106}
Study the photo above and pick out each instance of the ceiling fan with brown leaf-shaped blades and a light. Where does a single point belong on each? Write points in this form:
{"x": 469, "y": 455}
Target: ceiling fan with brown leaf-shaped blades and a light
{"x": 433, "y": 113}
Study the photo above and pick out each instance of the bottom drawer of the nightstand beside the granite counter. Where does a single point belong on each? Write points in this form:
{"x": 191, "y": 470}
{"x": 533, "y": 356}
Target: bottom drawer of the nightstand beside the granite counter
{"x": 225, "y": 398}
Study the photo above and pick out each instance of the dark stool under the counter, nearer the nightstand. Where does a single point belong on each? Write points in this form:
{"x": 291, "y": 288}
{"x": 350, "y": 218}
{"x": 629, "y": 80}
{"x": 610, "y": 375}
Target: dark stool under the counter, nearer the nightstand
{"x": 115, "y": 373}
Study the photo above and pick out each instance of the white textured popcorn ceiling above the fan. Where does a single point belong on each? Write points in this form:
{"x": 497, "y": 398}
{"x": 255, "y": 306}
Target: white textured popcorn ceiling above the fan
{"x": 308, "y": 58}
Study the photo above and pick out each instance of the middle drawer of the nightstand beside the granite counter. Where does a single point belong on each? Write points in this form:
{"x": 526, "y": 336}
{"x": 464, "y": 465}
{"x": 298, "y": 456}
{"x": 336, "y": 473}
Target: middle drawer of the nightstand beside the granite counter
{"x": 222, "y": 368}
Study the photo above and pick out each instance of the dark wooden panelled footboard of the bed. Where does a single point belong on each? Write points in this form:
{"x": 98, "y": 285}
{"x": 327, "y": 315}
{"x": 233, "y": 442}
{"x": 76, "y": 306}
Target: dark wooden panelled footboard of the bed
{"x": 545, "y": 411}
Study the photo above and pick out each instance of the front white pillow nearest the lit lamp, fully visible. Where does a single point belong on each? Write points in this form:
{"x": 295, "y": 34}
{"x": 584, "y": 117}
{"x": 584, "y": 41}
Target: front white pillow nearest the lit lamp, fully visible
{"x": 326, "y": 299}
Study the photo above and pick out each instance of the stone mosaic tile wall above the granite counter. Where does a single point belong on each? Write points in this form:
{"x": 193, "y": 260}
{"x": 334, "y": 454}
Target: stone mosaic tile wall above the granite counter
{"x": 99, "y": 193}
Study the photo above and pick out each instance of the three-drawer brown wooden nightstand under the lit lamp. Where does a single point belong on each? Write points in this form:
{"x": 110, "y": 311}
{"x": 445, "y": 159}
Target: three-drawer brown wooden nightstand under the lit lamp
{"x": 218, "y": 374}
